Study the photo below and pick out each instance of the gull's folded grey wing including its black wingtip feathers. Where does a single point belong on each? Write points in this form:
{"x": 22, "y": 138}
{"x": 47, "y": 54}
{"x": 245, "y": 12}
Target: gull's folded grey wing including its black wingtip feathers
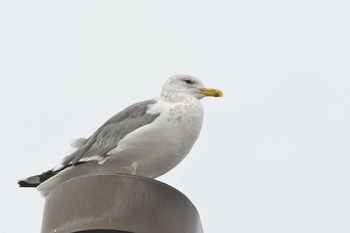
{"x": 100, "y": 143}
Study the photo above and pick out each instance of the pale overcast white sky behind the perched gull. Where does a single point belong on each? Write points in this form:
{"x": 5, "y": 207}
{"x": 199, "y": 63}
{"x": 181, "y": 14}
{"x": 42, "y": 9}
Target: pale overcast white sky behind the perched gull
{"x": 273, "y": 154}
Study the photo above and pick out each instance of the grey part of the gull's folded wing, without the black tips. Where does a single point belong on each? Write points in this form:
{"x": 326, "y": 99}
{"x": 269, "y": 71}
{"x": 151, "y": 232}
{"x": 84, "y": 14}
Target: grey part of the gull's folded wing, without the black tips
{"x": 110, "y": 133}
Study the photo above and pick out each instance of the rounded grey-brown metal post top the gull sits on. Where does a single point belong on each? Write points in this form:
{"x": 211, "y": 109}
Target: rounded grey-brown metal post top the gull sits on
{"x": 121, "y": 203}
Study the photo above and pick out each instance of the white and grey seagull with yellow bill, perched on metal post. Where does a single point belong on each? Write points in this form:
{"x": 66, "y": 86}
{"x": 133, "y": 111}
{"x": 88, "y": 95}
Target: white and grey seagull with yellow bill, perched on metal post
{"x": 147, "y": 139}
